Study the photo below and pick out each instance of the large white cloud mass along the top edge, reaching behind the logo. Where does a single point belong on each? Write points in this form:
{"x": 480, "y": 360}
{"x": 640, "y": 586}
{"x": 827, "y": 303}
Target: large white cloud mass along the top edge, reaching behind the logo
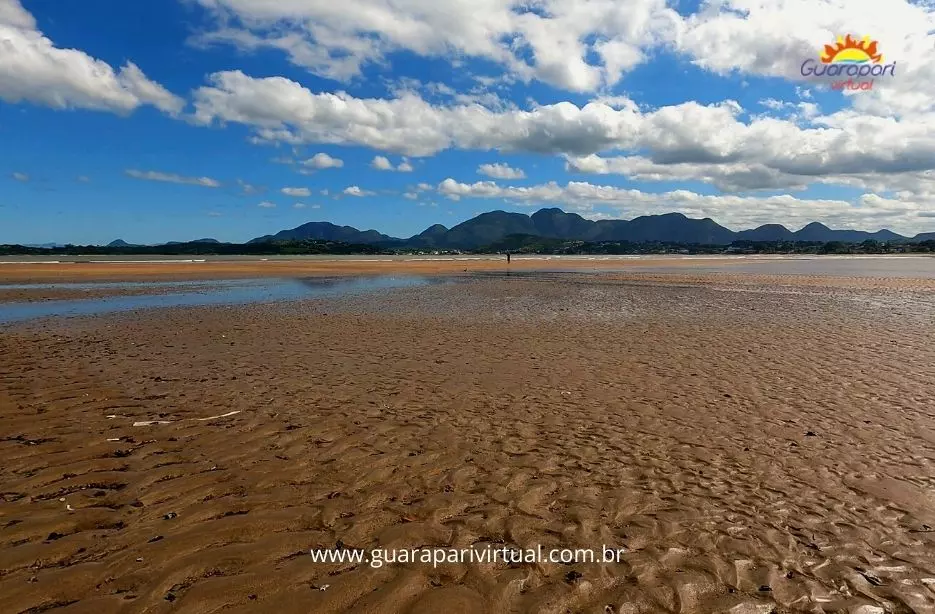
{"x": 585, "y": 46}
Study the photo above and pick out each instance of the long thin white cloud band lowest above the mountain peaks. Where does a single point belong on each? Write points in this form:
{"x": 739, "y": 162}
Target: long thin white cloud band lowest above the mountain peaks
{"x": 734, "y": 211}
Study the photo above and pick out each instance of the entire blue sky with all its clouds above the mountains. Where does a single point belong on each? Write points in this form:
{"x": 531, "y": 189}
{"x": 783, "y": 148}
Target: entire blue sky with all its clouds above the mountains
{"x": 646, "y": 109}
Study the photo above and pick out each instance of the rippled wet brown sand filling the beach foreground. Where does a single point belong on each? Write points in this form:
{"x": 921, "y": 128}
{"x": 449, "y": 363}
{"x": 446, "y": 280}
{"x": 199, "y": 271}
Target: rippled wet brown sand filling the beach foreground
{"x": 756, "y": 449}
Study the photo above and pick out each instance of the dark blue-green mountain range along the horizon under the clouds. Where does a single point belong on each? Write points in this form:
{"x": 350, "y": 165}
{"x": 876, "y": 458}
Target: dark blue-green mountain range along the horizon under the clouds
{"x": 553, "y": 223}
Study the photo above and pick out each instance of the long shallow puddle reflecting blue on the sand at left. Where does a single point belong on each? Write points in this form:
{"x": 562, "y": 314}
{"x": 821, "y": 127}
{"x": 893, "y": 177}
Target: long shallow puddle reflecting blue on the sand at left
{"x": 222, "y": 292}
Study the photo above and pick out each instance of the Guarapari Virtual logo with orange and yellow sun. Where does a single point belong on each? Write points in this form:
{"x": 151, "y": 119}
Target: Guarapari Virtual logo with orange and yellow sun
{"x": 850, "y": 64}
